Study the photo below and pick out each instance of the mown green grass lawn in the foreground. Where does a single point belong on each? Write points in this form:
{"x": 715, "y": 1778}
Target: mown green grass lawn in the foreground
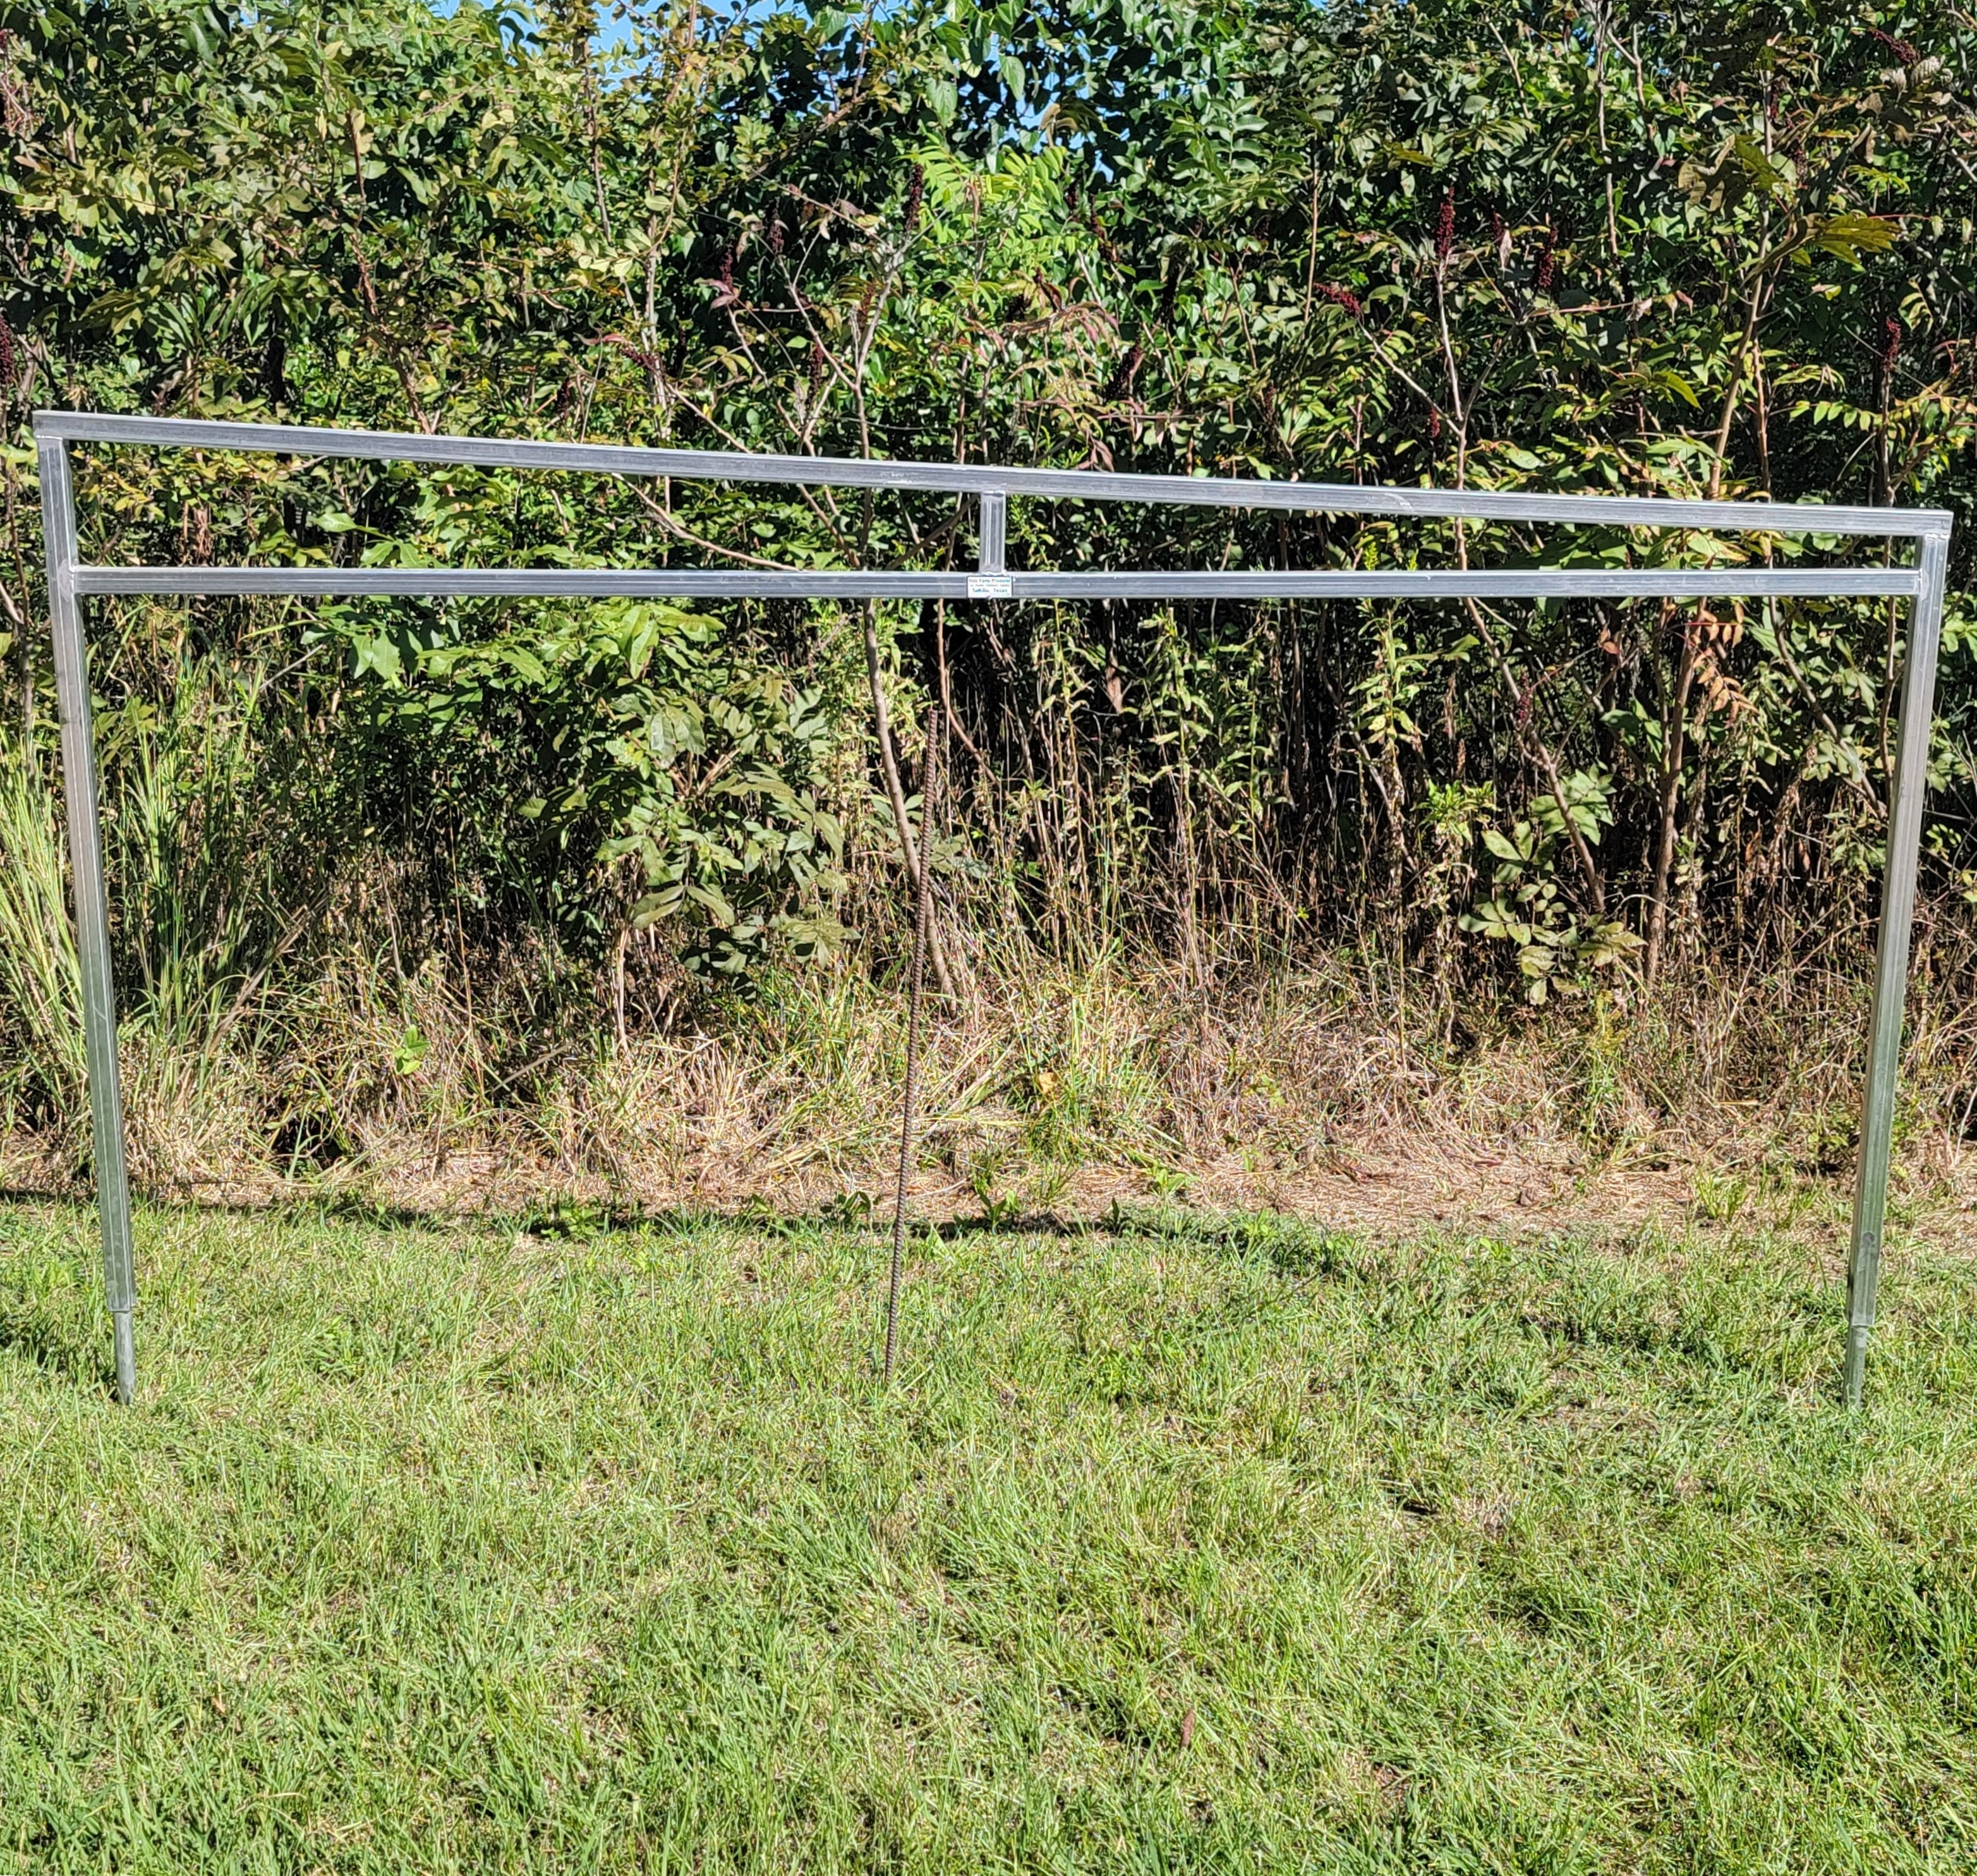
{"x": 1179, "y": 1549}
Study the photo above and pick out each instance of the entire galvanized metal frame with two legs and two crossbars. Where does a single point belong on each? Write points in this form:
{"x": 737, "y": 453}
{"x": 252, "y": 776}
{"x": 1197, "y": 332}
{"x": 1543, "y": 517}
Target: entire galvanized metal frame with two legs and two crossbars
{"x": 70, "y": 582}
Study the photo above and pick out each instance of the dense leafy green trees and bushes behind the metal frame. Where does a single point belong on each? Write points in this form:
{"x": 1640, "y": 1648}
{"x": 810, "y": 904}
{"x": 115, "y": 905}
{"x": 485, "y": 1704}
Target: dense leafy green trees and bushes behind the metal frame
{"x": 1652, "y": 248}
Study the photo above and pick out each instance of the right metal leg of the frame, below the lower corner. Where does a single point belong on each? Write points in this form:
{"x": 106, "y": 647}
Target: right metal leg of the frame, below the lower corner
{"x": 1891, "y": 970}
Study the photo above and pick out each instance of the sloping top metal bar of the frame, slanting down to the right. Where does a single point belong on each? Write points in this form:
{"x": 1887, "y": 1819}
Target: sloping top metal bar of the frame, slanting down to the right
{"x": 1084, "y": 485}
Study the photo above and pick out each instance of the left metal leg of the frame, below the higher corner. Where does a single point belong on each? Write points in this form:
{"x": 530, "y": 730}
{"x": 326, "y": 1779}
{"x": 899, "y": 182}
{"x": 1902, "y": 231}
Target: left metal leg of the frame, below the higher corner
{"x": 92, "y": 906}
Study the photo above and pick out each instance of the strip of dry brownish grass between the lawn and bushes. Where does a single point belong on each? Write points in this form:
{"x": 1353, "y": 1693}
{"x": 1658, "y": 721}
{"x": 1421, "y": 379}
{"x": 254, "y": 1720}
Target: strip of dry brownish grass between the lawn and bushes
{"x": 1333, "y": 1090}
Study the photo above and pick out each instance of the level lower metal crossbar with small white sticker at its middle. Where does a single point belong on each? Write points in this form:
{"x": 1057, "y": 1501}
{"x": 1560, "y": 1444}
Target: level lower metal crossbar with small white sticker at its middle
{"x": 802, "y": 584}
